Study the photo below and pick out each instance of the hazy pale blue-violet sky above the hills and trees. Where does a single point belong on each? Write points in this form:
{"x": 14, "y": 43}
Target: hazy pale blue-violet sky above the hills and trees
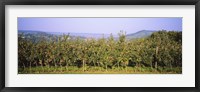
{"x": 99, "y": 25}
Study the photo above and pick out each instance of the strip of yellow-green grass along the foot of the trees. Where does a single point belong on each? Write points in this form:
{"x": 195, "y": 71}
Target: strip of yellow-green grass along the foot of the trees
{"x": 97, "y": 70}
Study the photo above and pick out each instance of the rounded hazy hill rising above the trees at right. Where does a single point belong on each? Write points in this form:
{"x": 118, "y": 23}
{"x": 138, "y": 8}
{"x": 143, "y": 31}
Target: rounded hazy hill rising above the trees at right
{"x": 140, "y": 34}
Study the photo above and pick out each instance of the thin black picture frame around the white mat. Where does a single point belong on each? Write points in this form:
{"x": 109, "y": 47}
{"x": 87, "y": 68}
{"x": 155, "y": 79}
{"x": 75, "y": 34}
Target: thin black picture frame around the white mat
{"x": 3, "y": 3}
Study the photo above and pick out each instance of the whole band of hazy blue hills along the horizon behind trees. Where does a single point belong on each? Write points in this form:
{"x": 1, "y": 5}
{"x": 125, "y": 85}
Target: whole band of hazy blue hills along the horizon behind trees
{"x": 139, "y": 34}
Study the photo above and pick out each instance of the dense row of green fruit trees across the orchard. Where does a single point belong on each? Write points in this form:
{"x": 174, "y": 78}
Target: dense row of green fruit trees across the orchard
{"x": 161, "y": 51}
